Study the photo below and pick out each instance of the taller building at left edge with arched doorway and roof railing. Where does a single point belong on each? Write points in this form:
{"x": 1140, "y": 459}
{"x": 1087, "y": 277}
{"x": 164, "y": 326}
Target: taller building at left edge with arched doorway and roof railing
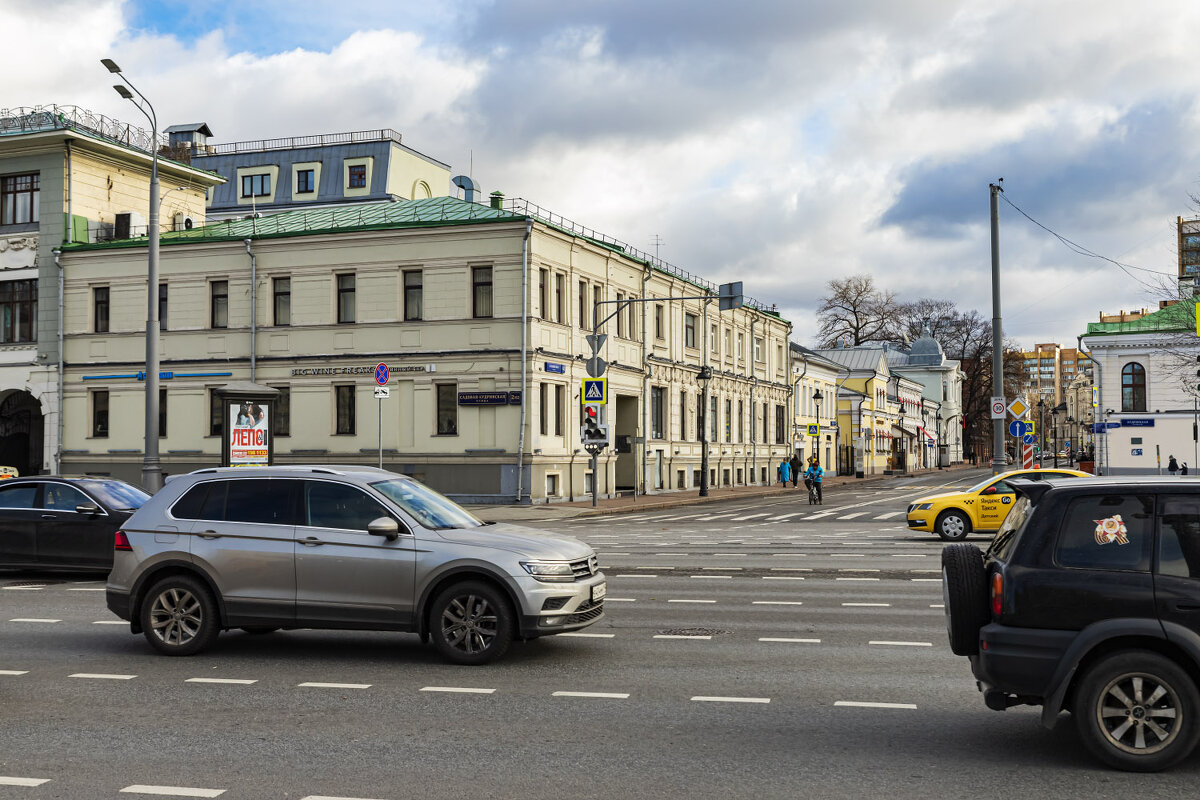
{"x": 67, "y": 176}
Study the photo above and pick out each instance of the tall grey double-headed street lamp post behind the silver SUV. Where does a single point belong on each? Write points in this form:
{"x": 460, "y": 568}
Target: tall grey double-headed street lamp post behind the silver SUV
{"x": 152, "y": 468}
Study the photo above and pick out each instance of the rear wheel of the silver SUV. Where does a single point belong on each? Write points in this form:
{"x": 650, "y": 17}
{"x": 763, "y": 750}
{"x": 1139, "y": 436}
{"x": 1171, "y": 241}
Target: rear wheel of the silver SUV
{"x": 179, "y": 617}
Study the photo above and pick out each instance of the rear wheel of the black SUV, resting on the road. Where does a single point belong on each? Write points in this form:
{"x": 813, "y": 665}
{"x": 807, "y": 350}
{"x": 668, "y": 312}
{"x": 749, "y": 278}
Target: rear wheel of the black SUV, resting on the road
{"x": 1138, "y": 711}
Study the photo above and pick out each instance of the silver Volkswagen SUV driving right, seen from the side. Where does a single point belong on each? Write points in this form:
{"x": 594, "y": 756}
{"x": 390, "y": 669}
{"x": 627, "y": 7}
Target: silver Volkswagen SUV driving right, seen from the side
{"x": 341, "y": 548}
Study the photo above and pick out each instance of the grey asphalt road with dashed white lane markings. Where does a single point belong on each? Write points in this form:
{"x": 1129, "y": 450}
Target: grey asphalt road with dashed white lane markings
{"x": 749, "y": 651}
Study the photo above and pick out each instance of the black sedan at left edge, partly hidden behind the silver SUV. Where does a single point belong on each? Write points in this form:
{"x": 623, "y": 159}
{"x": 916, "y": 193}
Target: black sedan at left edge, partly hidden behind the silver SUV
{"x": 64, "y": 524}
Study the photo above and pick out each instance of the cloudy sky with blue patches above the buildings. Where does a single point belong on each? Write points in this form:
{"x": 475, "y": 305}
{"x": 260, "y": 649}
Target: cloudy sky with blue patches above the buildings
{"x": 776, "y": 142}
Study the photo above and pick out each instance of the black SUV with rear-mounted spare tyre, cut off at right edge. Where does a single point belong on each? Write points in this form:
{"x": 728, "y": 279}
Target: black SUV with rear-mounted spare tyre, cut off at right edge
{"x": 1088, "y": 600}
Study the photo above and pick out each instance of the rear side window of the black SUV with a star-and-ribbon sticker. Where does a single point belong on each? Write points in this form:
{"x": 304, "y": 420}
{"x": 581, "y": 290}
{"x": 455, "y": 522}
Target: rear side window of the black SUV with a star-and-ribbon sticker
{"x": 1108, "y": 532}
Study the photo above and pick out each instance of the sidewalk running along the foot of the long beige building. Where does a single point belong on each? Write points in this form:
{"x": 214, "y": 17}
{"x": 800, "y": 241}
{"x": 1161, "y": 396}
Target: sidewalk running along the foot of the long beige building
{"x": 555, "y": 512}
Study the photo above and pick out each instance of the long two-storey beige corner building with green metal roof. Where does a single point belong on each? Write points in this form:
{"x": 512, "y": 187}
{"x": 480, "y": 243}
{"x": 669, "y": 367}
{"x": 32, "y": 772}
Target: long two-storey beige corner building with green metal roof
{"x": 482, "y": 316}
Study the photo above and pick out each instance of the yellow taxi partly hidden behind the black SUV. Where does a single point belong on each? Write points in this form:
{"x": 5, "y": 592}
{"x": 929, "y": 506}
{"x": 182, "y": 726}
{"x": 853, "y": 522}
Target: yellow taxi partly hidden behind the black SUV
{"x": 982, "y": 508}
